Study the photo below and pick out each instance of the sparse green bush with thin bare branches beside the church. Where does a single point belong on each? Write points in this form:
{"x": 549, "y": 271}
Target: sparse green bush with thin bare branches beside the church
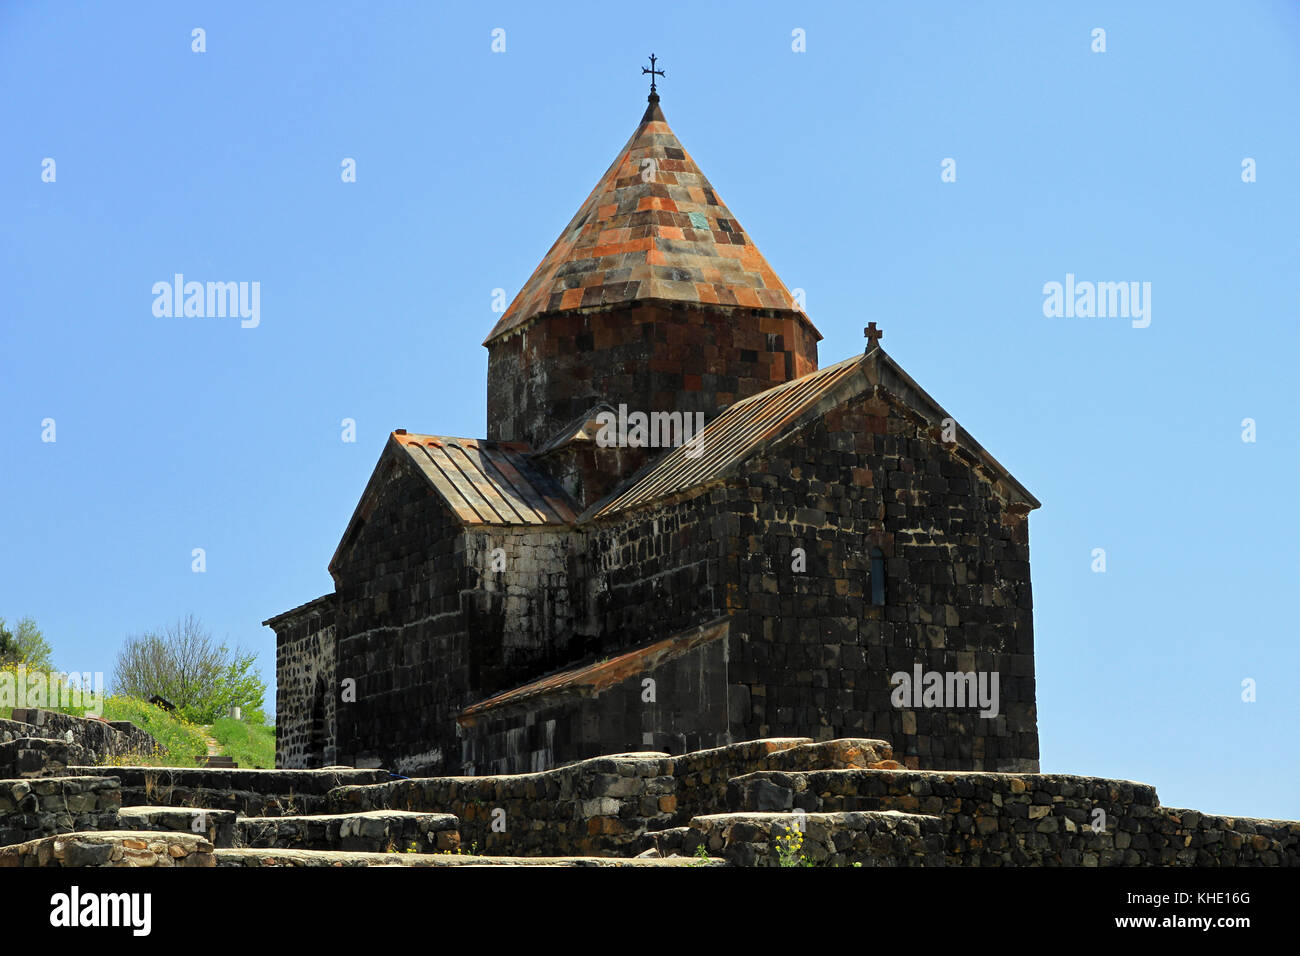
{"x": 188, "y": 667}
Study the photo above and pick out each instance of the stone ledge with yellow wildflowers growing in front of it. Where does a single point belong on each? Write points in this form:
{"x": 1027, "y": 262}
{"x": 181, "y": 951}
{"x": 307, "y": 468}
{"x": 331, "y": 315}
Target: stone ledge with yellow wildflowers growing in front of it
{"x": 821, "y": 840}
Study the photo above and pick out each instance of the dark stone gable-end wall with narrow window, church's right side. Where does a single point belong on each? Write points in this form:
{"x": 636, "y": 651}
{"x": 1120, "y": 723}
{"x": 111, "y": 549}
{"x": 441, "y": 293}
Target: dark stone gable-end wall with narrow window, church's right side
{"x": 812, "y": 651}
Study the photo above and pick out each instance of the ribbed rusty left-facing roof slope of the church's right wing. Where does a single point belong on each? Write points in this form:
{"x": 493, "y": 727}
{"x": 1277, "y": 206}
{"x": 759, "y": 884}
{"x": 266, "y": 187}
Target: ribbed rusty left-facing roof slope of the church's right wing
{"x": 734, "y": 436}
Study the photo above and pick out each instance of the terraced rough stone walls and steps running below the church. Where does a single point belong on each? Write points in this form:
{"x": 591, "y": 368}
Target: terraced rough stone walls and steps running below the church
{"x": 762, "y": 803}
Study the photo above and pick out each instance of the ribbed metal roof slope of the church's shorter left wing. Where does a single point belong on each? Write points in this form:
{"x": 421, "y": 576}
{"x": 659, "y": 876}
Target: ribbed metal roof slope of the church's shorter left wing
{"x": 488, "y": 482}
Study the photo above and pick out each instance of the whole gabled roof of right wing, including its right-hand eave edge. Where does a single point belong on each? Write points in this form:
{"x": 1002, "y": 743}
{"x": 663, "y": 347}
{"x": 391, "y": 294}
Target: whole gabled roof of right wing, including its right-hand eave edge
{"x": 753, "y": 425}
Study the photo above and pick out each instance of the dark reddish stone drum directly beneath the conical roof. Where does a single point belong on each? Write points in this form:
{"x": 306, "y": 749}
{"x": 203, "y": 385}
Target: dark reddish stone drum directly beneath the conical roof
{"x": 649, "y": 357}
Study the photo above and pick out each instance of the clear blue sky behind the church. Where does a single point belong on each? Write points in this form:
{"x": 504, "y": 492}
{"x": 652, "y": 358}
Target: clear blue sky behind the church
{"x": 1117, "y": 166}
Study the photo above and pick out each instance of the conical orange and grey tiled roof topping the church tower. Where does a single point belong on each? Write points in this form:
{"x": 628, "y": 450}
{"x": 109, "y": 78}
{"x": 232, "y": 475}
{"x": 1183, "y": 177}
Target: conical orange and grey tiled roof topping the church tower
{"x": 647, "y": 232}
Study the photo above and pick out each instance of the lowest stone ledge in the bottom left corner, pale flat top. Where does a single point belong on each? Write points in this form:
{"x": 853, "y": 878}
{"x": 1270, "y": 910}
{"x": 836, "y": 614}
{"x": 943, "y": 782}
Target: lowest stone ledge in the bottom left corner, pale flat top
{"x": 111, "y": 849}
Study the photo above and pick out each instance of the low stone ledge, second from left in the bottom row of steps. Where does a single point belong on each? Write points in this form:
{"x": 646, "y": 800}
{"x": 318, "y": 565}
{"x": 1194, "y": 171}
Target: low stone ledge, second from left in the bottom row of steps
{"x": 370, "y": 832}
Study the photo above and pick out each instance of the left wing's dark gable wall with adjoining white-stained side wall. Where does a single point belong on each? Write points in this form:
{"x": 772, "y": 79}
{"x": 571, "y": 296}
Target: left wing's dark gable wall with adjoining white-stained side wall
{"x": 427, "y": 626}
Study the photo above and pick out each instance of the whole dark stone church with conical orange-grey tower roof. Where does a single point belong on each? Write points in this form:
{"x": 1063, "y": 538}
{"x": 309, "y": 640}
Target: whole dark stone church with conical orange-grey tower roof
{"x": 551, "y": 594}
